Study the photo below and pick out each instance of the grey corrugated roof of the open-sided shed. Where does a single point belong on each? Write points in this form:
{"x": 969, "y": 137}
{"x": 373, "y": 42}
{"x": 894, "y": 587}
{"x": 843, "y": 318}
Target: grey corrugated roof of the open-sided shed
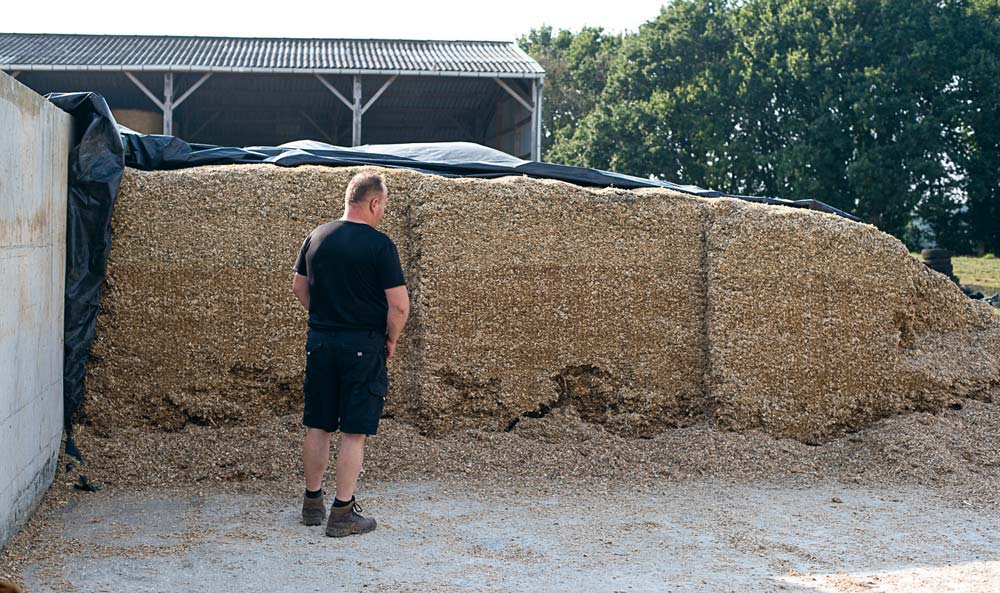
{"x": 43, "y": 51}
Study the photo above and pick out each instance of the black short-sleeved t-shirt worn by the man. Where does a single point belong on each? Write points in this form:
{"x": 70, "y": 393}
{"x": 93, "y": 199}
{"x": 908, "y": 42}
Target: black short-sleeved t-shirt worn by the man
{"x": 349, "y": 265}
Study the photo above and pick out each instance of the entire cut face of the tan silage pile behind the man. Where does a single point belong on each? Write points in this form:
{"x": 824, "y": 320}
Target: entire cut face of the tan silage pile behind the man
{"x": 638, "y": 310}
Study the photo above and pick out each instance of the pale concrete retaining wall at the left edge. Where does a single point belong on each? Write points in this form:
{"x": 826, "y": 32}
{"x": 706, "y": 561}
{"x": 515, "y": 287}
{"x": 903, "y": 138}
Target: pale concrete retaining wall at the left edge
{"x": 34, "y": 147}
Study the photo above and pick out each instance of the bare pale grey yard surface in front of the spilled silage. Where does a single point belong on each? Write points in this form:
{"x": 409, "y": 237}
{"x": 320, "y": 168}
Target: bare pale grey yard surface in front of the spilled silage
{"x": 698, "y": 536}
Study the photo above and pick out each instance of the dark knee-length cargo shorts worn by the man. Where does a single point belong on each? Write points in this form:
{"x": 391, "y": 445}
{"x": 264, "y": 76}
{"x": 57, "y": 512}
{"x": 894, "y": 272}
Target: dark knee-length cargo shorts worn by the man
{"x": 346, "y": 381}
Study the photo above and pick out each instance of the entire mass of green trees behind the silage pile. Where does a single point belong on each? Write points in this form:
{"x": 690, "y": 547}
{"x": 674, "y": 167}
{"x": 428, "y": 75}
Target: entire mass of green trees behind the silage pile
{"x": 885, "y": 108}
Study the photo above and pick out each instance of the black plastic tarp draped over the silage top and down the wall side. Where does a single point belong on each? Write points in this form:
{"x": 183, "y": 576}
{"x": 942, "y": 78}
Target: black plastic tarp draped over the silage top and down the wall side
{"x": 101, "y": 149}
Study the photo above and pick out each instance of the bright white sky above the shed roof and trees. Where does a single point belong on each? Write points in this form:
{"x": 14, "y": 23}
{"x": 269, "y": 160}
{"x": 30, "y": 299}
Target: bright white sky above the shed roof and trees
{"x": 396, "y": 19}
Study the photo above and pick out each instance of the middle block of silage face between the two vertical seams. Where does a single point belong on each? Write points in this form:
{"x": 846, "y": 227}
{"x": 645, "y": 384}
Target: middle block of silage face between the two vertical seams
{"x": 535, "y": 294}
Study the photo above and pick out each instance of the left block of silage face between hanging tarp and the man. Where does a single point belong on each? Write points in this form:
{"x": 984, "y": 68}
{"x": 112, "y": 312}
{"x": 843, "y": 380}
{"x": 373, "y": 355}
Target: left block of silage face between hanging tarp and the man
{"x": 197, "y": 324}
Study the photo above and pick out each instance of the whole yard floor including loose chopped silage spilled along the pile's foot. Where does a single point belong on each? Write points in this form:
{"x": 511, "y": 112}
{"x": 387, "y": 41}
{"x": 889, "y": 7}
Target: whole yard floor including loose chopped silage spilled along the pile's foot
{"x": 906, "y": 505}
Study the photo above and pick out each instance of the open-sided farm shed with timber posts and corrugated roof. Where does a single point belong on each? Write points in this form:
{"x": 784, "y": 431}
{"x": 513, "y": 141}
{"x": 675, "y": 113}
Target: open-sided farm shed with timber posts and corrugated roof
{"x": 257, "y": 91}
